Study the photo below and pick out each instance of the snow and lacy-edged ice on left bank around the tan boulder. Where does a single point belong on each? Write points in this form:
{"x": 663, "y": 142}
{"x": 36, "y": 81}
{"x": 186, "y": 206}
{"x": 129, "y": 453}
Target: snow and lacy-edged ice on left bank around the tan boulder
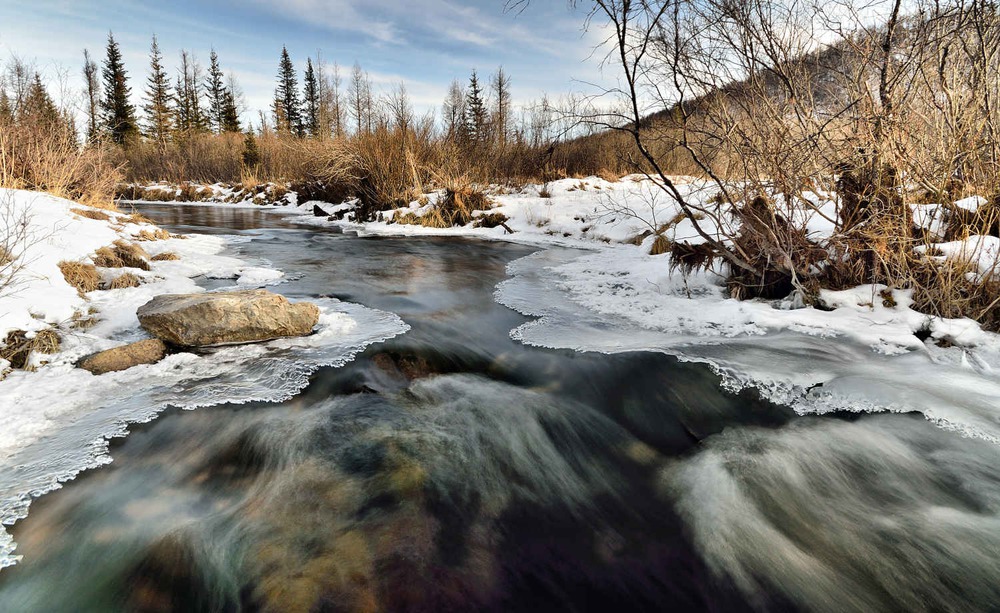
{"x": 55, "y": 421}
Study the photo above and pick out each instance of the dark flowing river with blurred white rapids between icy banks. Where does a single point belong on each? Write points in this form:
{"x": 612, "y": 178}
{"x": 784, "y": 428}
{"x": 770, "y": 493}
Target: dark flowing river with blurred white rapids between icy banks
{"x": 452, "y": 468}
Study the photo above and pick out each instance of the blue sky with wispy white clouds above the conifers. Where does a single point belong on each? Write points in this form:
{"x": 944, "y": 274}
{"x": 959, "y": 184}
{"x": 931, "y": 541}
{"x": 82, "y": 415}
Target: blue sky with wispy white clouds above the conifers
{"x": 422, "y": 43}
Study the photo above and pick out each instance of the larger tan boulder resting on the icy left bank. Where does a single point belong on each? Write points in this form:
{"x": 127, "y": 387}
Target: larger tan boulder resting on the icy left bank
{"x": 197, "y": 320}
